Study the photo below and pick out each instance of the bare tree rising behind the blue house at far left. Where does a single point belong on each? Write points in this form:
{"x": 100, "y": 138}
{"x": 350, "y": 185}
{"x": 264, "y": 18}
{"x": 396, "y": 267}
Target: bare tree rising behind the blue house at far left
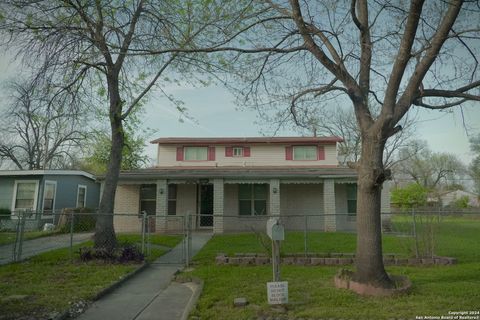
{"x": 40, "y": 127}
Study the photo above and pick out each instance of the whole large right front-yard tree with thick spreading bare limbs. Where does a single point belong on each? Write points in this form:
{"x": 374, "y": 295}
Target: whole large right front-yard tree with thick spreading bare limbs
{"x": 399, "y": 54}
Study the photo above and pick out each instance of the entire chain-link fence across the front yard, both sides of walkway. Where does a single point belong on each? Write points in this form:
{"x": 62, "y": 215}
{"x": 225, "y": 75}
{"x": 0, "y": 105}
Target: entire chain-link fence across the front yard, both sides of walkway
{"x": 415, "y": 231}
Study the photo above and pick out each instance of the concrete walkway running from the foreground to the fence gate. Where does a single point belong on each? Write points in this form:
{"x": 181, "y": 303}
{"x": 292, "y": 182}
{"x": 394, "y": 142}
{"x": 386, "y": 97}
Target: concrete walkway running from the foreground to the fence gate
{"x": 150, "y": 294}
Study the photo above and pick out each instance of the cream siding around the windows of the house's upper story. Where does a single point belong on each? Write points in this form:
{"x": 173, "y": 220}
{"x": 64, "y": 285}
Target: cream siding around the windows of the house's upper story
{"x": 261, "y": 155}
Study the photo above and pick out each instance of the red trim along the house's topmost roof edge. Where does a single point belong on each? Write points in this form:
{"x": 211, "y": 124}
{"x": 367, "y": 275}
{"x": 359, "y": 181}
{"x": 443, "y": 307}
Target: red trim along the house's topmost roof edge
{"x": 249, "y": 140}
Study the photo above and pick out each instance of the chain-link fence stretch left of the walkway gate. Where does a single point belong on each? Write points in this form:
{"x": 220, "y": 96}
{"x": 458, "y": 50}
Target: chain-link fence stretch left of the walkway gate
{"x": 26, "y": 234}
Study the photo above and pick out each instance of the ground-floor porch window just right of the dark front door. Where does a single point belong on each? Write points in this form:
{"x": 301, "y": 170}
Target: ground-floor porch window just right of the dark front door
{"x": 252, "y": 199}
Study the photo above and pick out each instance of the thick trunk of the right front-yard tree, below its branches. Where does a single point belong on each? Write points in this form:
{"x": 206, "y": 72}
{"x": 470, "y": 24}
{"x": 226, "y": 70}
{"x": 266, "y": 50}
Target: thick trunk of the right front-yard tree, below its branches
{"x": 371, "y": 175}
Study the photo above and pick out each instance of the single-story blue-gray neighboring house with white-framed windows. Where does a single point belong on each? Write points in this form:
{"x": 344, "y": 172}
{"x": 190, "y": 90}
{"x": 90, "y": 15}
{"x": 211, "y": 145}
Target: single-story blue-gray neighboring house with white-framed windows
{"x": 47, "y": 191}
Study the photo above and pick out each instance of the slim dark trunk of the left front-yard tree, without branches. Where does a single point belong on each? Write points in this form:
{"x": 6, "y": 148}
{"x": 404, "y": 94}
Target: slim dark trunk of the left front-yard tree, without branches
{"x": 104, "y": 230}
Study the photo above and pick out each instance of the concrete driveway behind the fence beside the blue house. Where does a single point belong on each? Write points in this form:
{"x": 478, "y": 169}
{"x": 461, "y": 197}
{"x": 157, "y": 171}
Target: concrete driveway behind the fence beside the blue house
{"x": 36, "y": 246}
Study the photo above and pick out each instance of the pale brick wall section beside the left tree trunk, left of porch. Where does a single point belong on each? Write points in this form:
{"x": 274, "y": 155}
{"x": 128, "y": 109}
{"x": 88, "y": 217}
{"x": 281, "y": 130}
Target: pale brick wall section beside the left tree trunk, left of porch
{"x": 126, "y": 208}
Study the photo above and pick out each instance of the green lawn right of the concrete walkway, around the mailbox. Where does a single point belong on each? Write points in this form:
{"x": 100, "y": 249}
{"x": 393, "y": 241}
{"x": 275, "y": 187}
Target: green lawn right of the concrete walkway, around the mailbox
{"x": 436, "y": 291}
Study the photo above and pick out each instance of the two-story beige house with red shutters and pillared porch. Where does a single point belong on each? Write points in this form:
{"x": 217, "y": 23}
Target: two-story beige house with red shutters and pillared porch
{"x": 232, "y": 184}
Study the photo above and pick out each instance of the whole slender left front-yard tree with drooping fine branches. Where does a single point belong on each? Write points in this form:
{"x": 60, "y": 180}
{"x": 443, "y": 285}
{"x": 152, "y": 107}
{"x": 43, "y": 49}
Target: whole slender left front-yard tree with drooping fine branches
{"x": 105, "y": 50}
